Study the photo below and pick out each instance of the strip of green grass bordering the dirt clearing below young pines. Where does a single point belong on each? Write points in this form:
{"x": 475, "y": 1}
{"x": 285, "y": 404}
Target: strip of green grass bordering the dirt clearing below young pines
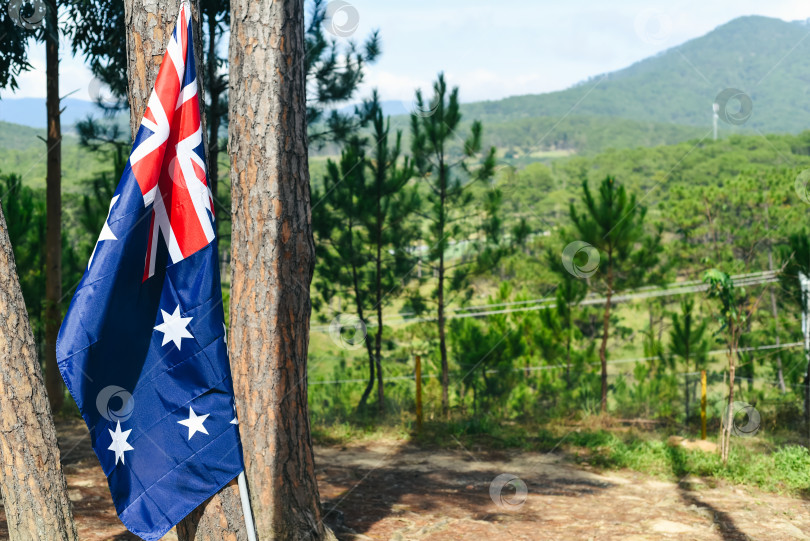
{"x": 756, "y": 462}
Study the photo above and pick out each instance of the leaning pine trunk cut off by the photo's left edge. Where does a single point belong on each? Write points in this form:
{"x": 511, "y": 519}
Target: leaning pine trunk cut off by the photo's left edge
{"x": 31, "y": 482}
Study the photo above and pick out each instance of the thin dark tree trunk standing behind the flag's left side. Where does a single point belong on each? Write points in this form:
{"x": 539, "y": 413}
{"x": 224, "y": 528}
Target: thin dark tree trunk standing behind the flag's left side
{"x": 53, "y": 201}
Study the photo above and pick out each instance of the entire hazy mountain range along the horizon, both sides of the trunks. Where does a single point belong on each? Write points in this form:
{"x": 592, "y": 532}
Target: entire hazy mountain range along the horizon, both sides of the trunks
{"x": 663, "y": 99}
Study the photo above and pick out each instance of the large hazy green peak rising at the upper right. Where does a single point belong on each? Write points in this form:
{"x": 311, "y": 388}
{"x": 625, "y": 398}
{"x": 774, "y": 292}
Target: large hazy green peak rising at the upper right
{"x": 768, "y": 59}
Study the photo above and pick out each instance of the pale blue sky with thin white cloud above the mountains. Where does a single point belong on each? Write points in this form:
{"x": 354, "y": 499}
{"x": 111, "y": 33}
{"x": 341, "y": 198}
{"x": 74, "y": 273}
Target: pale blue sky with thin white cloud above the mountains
{"x": 493, "y": 49}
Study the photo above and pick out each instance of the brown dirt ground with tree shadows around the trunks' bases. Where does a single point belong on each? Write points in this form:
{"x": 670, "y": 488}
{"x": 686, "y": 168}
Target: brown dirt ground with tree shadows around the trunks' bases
{"x": 390, "y": 490}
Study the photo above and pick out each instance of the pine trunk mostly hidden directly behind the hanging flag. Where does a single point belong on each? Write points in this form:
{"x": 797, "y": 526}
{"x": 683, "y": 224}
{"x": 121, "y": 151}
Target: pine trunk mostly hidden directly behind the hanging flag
{"x": 149, "y": 24}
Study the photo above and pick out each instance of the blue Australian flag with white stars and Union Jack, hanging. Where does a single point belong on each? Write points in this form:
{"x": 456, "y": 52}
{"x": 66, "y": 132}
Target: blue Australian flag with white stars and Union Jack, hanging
{"x": 142, "y": 348}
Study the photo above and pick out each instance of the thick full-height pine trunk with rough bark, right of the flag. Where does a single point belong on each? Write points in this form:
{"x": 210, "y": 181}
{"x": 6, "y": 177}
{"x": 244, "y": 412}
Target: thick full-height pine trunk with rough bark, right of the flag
{"x": 272, "y": 264}
